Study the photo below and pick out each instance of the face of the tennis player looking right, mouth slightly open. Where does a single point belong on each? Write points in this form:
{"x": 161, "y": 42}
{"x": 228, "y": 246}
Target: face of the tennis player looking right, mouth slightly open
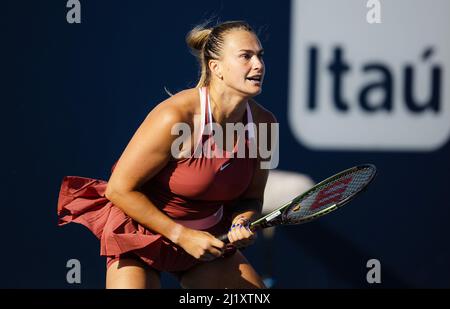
{"x": 241, "y": 63}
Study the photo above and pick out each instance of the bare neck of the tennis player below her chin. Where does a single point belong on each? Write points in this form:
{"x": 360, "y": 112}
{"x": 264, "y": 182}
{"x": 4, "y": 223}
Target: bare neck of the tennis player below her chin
{"x": 226, "y": 106}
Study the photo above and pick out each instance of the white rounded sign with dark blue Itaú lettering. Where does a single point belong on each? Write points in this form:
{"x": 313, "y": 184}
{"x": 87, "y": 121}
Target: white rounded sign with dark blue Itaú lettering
{"x": 355, "y": 86}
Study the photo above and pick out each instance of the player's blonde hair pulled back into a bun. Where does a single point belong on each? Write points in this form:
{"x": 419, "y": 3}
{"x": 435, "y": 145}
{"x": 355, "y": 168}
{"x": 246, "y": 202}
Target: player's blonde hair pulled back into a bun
{"x": 207, "y": 43}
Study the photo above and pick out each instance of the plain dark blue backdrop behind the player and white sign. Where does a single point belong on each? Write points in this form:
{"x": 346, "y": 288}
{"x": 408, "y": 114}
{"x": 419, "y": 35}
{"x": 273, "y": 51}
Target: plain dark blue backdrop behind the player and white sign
{"x": 73, "y": 94}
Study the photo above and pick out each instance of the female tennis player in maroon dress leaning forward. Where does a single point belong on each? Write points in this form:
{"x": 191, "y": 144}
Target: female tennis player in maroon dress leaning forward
{"x": 161, "y": 209}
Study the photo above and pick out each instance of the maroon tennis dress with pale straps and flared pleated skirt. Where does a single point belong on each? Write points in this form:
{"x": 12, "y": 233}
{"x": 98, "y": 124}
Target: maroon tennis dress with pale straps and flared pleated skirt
{"x": 195, "y": 191}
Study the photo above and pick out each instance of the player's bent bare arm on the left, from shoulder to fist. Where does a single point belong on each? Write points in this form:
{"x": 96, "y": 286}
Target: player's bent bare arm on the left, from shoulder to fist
{"x": 145, "y": 155}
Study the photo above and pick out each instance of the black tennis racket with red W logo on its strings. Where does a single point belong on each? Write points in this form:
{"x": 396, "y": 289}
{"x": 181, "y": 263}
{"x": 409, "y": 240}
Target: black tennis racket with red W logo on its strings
{"x": 325, "y": 197}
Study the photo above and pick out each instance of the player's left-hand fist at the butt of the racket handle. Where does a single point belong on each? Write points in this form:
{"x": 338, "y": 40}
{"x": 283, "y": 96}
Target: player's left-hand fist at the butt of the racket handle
{"x": 201, "y": 245}
